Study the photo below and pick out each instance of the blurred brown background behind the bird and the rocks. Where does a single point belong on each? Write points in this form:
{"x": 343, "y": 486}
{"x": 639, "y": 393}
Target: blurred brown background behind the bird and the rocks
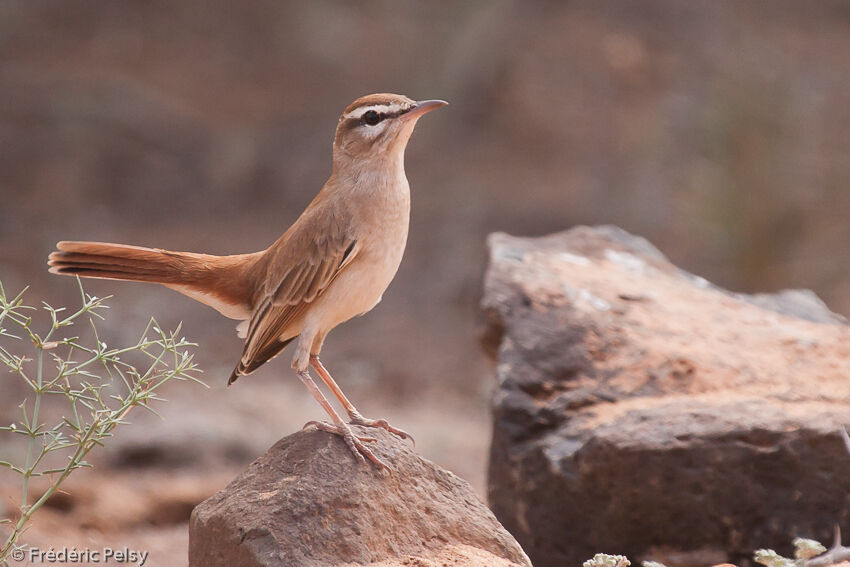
{"x": 720, "y": 130}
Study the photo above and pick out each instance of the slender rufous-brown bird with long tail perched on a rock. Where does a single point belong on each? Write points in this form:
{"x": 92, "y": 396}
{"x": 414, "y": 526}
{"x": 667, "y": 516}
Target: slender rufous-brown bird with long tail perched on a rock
{"x": 332, "y": 264}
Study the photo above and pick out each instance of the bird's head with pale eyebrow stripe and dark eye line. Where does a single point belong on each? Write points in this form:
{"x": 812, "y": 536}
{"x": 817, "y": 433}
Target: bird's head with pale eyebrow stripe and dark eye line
{"x": 378, "y": 126}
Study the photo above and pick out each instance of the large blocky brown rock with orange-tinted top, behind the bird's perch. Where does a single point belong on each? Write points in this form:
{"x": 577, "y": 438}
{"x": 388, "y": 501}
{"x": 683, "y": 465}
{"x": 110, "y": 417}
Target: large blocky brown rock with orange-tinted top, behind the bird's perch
{"x": 642, "y": 410}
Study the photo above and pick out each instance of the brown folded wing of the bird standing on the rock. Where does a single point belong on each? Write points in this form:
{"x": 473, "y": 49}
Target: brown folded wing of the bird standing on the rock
{"x": 303, "y": 263}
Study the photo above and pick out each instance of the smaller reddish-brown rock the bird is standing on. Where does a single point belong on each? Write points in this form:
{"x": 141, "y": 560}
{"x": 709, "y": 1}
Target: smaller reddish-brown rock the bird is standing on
{"x": 307, "y": 502}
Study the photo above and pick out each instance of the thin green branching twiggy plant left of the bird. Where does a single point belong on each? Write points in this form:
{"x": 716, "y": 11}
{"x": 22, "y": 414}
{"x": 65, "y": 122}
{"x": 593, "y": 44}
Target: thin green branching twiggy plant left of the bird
{"x": 95, "y": 410}
